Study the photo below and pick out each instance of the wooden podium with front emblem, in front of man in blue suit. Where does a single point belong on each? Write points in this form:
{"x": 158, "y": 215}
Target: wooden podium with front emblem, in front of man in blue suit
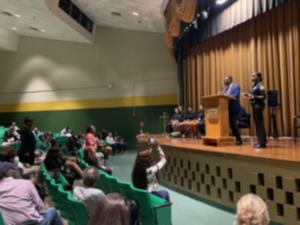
{"x": 217, "y": 121}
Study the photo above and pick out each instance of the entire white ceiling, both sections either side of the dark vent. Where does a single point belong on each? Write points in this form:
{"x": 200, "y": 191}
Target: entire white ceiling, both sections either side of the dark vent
{"x": 36, "y": 18}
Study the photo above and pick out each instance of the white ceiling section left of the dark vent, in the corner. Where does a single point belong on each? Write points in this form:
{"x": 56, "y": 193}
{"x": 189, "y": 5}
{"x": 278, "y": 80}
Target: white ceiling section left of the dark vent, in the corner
{"x": 35, "y": 17}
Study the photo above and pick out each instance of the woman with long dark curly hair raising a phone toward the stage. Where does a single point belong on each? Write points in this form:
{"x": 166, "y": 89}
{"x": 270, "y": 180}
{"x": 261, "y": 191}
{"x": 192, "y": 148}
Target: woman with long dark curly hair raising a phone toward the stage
{"x": 144, "y": 174}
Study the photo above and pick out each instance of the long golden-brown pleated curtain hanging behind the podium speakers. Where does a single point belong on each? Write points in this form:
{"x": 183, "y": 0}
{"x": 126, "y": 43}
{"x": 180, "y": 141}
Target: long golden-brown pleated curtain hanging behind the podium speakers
{"x": 268, "y": 43}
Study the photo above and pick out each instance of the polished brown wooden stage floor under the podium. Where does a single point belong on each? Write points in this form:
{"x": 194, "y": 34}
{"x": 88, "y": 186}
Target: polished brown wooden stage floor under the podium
{"x": 282, "y": 149}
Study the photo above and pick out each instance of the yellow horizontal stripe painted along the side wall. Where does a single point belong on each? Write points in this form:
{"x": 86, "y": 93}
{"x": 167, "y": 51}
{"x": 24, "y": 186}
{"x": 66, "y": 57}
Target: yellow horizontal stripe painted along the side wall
{"x": 90, "y": 103}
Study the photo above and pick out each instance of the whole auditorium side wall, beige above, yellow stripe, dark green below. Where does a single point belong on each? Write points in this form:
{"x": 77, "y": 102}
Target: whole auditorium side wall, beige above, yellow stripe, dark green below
{"x": 60, "y": 83}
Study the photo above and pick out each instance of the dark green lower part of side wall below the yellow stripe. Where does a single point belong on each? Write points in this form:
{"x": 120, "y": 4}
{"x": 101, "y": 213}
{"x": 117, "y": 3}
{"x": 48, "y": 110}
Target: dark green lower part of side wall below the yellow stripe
{"x": 112, "y": 119}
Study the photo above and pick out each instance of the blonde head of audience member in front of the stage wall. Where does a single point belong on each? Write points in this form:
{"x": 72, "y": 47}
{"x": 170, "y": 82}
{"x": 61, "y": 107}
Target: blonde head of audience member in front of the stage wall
{"x": 251, "y": 210}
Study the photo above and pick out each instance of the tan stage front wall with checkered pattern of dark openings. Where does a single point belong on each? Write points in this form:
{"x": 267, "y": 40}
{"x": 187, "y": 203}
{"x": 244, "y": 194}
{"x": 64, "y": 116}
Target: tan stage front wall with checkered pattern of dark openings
{"x": 223, "y": 178}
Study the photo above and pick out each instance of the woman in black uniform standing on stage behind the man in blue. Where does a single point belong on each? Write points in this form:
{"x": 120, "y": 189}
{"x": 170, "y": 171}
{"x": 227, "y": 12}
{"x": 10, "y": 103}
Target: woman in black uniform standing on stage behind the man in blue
{"x": 257, "y": 97}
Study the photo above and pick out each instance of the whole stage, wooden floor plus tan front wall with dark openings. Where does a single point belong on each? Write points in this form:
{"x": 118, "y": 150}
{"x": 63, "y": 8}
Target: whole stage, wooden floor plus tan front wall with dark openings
{"x": 223, "y": 174}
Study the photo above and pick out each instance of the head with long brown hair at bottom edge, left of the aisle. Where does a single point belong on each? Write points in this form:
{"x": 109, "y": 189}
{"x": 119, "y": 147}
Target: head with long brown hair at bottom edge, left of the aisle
{"x": 112, "y": 209}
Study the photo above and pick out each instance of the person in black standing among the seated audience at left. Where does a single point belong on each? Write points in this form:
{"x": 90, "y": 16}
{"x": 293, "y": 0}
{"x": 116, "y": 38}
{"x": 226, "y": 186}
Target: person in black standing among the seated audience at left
{"x": 26, "y": 152}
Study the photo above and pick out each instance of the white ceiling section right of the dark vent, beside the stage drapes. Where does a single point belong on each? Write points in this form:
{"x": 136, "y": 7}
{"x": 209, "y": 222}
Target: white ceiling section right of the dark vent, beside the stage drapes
{"x": 149, "y": 18}
